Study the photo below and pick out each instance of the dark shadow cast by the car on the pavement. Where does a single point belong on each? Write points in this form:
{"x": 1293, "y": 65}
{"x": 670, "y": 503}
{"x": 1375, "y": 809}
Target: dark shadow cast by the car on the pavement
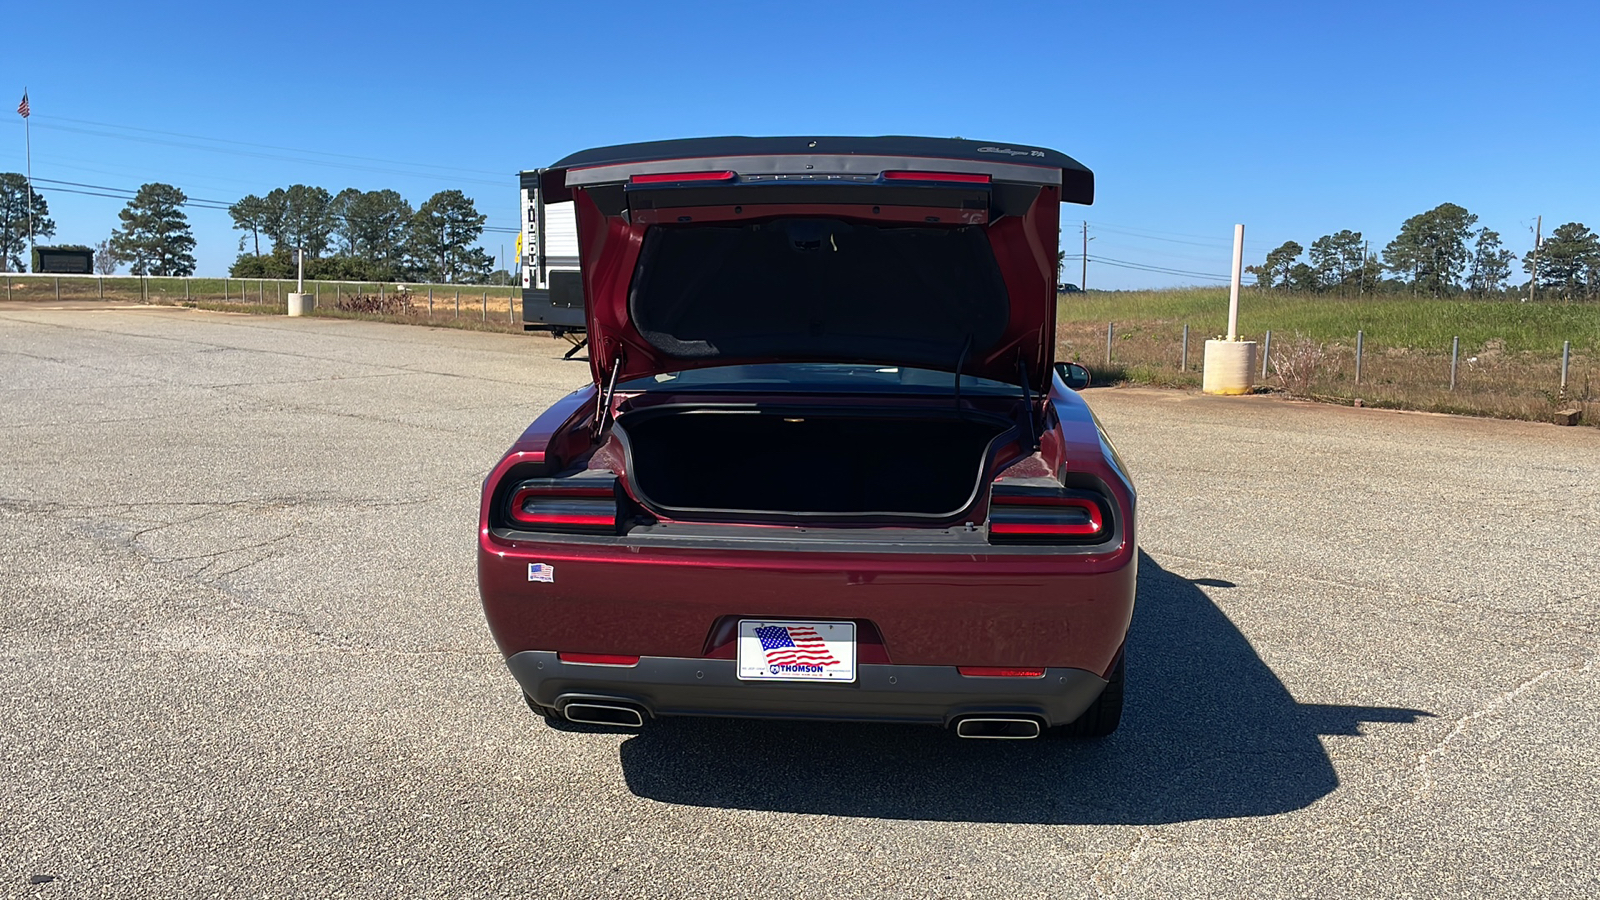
{"x": 1209, "y": 733}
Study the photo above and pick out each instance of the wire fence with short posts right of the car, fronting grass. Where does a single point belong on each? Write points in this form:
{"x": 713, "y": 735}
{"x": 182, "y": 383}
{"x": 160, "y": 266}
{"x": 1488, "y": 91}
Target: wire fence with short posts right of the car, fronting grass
{"x": 1362, "y": 369}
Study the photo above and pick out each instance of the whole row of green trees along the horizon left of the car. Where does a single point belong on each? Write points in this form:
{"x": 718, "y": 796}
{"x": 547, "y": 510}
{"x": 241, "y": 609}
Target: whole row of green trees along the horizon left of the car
{"x": 351, "y": 236}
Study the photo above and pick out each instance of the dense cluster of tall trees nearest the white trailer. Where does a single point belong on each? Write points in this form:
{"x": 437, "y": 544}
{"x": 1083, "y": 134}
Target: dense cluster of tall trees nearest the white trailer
{"x": 362, "y": 236}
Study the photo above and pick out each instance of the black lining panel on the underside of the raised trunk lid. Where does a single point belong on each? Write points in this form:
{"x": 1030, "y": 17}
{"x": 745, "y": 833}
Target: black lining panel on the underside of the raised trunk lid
{"x": 806, "y": 289}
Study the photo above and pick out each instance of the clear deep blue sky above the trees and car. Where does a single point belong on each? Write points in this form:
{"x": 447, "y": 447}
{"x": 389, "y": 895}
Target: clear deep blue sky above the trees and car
{"x": 1294, "y": 119}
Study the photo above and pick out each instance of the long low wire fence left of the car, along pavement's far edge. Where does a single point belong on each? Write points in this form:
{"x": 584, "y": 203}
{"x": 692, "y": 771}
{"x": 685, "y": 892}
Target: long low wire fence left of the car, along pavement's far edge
{"x": 487, "y": 303}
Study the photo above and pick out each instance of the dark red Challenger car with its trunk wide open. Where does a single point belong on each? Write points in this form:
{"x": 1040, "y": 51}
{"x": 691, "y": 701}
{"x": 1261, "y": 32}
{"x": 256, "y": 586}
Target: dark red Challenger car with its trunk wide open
{"x": 826, "y": 468}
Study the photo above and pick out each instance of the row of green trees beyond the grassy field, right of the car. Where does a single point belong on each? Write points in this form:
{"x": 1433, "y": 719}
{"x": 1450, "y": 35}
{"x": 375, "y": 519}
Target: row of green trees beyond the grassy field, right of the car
{"x": 1438, "y": 254}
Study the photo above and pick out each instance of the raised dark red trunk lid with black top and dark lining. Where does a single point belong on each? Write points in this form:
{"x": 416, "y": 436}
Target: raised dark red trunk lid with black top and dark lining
{"x": 918, "y": 252}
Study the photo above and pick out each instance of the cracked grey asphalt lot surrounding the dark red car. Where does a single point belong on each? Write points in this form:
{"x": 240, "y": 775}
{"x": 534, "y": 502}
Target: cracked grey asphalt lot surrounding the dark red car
{"x": 242, "y": 654}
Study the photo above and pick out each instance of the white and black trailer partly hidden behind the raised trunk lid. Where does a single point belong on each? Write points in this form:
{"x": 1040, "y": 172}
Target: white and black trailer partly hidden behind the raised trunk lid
{"x": 553, "y": 292}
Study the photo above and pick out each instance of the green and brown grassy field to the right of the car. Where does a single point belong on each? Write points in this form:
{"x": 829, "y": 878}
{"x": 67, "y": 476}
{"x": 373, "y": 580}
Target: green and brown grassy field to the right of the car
{"x": 1510, "y": 361}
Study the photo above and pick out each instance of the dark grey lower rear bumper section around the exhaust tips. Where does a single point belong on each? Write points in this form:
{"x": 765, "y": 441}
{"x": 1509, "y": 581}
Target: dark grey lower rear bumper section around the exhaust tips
{"x": 674, "y": 686}
